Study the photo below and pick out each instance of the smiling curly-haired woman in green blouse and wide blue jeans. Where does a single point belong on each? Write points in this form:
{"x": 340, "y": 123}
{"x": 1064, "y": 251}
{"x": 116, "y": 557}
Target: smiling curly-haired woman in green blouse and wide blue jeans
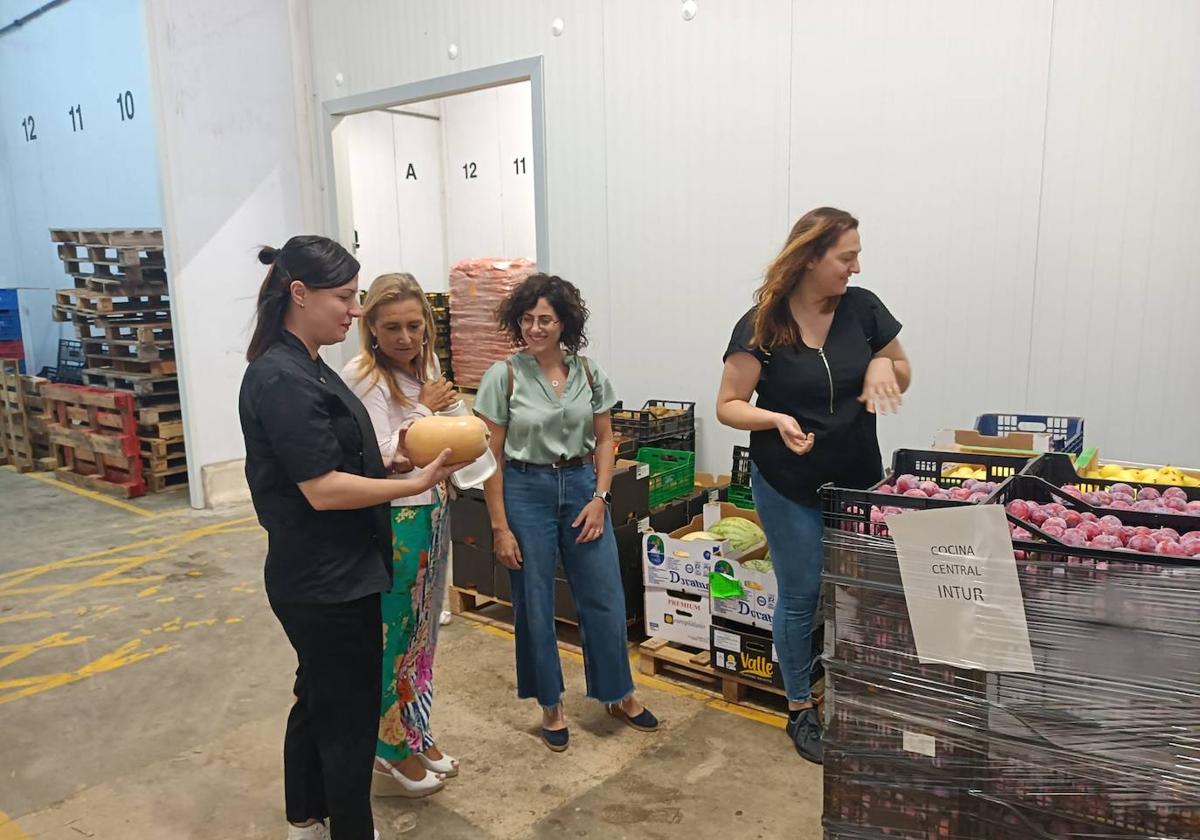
{"x": 549, "y": 412}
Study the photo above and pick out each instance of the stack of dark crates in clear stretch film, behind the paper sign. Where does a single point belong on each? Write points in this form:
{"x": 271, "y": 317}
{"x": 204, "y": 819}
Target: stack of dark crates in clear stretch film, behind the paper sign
{"x": 1101, "y": 742}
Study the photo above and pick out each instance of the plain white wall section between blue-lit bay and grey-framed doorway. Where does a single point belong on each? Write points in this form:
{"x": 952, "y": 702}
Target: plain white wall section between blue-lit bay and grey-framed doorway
{"x": 235, "y": 178}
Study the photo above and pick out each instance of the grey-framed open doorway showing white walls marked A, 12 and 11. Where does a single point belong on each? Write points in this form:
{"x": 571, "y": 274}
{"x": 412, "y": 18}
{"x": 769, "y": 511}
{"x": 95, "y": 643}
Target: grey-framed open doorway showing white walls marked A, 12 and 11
{"x": 439, "y": 173}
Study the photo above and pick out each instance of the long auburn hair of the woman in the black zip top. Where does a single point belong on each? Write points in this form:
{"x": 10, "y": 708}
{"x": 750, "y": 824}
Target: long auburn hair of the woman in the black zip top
{"x": 812, "y": 237}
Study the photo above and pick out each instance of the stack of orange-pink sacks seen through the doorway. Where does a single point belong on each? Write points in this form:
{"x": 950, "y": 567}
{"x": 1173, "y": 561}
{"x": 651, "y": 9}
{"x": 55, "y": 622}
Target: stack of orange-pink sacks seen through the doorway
{"x": 477, "y": 289}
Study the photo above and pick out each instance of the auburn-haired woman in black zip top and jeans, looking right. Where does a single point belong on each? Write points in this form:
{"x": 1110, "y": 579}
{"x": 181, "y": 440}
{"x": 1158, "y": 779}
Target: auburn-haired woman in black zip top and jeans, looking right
{"x": 825, "y": 361}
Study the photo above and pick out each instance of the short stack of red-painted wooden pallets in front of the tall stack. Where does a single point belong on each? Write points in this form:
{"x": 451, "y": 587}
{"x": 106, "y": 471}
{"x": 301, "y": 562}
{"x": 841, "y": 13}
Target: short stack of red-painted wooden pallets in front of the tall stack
{"x": 94, "y": 433}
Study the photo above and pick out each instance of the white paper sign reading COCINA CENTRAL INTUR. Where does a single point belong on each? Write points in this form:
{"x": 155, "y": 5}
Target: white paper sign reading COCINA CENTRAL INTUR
{"x": 961, "y": 584}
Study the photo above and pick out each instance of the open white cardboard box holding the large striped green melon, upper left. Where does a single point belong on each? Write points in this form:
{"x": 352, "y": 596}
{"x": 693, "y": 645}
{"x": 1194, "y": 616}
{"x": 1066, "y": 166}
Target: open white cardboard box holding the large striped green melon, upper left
{"x": 669, "y": 562}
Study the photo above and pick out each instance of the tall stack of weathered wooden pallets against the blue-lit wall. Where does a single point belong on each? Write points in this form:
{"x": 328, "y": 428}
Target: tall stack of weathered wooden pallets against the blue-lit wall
{"x": 122, "y": 311}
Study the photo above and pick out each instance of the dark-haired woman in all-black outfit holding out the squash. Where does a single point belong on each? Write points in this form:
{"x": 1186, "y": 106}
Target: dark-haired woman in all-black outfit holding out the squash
{"x": 321, "y": 491}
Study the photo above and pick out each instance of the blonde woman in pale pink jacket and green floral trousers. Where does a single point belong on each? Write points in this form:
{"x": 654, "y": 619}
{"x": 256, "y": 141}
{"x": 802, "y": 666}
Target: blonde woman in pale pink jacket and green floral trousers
{"x": 398, "y": 379}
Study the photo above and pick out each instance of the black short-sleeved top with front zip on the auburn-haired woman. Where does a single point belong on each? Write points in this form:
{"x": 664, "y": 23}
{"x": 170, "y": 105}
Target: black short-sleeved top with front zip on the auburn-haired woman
{"x": 820, "y": 388}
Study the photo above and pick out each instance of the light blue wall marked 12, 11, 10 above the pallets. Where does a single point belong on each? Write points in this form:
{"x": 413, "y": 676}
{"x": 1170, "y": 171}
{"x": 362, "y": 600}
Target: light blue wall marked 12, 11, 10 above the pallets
{"x": 103, "y": 172}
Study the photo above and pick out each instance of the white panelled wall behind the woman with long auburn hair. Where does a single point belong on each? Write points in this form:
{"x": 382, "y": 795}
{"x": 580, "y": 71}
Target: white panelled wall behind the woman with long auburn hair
{"x": 967, "y": 136}
